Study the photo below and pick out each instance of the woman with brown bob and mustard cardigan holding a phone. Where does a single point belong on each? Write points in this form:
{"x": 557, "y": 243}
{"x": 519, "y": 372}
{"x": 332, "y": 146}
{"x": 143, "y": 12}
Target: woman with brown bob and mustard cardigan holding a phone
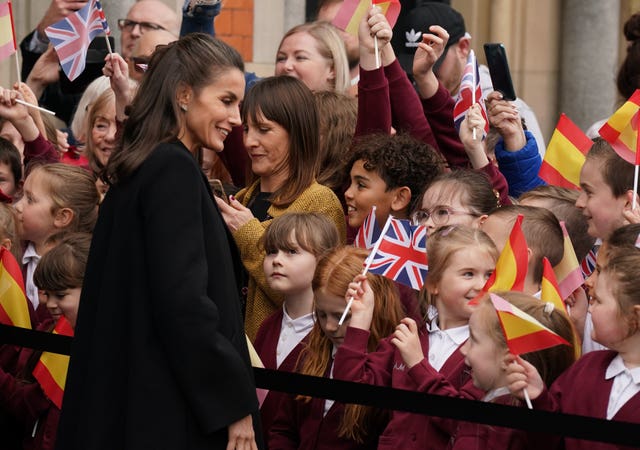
{"x": 281, "y": 138}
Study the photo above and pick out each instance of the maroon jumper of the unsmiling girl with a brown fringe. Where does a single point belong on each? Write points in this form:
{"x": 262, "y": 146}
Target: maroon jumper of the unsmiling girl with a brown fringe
{"x": 266, "y": 344}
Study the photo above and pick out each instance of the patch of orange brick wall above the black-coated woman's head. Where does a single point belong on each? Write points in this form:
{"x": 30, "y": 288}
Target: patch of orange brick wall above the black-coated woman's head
{"x": 234, "y": 25}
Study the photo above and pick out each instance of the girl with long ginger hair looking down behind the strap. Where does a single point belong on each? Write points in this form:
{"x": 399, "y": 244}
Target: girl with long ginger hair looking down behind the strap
{"x": 315, "y": 423}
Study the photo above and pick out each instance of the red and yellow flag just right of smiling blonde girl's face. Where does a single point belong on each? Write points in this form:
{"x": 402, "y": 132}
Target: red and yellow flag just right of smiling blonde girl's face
{"x": 512, "y": 265}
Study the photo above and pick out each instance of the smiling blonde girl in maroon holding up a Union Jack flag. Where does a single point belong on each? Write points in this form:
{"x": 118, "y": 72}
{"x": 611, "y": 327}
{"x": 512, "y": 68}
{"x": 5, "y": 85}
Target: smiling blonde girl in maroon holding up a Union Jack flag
{"x": 461, "y": 259}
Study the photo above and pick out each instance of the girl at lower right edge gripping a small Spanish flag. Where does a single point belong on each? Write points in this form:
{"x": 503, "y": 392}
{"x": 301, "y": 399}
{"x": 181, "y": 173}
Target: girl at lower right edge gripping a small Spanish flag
{"x": 603, "y": 383}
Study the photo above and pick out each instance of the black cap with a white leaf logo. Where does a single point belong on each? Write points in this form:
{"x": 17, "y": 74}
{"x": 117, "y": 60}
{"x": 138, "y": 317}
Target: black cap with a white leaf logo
{"x": 408, "y": 31}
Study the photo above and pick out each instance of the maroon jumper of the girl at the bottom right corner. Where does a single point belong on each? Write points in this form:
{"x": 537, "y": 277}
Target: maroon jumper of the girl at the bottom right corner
{"x": 582, "y": 389}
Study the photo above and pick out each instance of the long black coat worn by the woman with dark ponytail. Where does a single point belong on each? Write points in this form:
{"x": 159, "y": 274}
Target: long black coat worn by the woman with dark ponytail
{"x": 159, "y": 359}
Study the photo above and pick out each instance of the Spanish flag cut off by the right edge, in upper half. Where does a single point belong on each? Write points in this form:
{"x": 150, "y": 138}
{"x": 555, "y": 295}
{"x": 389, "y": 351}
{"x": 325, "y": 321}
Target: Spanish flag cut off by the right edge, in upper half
{"x": 621, "y": 130}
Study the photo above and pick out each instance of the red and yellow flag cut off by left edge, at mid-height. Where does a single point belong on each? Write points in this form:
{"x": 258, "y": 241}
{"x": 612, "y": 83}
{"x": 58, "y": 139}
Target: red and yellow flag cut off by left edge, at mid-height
{"x": 14, "y": 309}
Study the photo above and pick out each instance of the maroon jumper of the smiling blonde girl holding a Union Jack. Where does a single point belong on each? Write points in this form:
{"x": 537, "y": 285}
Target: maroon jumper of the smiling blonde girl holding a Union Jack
{"x": 385, "y": 367}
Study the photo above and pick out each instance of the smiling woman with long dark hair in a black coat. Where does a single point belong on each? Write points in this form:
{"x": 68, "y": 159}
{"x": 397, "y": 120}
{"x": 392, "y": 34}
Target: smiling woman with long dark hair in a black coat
{"x": 159, "y": 359}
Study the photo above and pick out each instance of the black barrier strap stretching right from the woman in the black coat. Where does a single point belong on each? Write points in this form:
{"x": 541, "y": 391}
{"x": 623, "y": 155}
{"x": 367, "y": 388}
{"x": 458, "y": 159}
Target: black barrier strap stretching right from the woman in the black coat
{"x": 581, "y": 427}
